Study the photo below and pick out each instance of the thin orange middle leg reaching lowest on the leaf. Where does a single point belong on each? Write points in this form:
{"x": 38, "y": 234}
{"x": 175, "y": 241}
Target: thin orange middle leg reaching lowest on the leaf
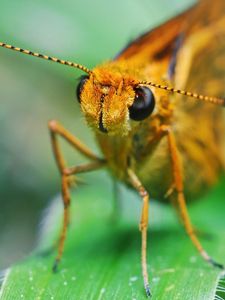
{"x": 143, "y": 226}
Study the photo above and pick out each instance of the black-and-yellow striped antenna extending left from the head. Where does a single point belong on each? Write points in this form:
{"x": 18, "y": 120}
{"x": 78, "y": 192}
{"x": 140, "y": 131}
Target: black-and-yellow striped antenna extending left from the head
{"x": 54, "y": 59}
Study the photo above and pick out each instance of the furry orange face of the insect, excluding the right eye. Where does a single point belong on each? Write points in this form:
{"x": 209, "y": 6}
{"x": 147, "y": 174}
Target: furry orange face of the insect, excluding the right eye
{"x": 106, "y": 96}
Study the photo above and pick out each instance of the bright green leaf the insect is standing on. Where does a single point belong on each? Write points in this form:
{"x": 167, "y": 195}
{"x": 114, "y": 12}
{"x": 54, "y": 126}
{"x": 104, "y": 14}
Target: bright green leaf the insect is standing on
{"x": 102, "y": 257}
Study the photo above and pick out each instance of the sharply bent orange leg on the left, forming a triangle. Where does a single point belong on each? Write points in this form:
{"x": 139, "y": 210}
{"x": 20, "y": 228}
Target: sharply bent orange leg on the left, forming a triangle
{"x": 56, "y": 129}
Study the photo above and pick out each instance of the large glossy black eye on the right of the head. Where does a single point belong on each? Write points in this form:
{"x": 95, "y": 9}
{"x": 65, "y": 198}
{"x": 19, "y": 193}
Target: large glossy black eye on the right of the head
{"x": 143, "y": 105}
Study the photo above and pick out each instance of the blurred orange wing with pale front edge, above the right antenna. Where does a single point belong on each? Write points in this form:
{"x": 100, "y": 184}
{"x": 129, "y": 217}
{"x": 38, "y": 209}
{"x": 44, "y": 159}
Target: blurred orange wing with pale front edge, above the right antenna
{"x": 201, "y": 61}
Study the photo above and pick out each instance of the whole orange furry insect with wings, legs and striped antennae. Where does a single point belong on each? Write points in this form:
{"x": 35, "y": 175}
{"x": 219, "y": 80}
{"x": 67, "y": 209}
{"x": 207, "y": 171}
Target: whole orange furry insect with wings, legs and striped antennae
{"x": 152, "y": 118}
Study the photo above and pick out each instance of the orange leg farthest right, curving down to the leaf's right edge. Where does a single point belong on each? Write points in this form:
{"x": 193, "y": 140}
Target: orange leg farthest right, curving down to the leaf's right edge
{"x": 178, "y": 181}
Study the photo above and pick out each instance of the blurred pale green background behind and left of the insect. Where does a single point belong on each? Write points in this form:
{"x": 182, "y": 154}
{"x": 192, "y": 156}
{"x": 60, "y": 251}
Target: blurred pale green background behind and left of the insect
{"x": 34, "y": 91}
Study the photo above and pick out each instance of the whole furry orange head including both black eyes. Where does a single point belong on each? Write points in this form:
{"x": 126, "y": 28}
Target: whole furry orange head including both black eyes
{"x": 110, "y": 96}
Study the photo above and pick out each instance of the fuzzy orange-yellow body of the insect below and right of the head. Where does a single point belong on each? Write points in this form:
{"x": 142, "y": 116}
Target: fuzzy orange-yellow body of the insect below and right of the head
{"x": 199, "y": 131}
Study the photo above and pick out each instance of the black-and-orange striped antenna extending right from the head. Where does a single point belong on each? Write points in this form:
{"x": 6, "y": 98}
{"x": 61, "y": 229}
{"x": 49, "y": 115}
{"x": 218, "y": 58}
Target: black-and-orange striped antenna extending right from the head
{"x": 214, "y": 100}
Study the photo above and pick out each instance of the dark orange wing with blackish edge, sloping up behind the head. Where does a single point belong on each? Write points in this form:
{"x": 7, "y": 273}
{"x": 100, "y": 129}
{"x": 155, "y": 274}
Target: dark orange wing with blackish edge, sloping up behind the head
{"x": 164, "y": 42}
